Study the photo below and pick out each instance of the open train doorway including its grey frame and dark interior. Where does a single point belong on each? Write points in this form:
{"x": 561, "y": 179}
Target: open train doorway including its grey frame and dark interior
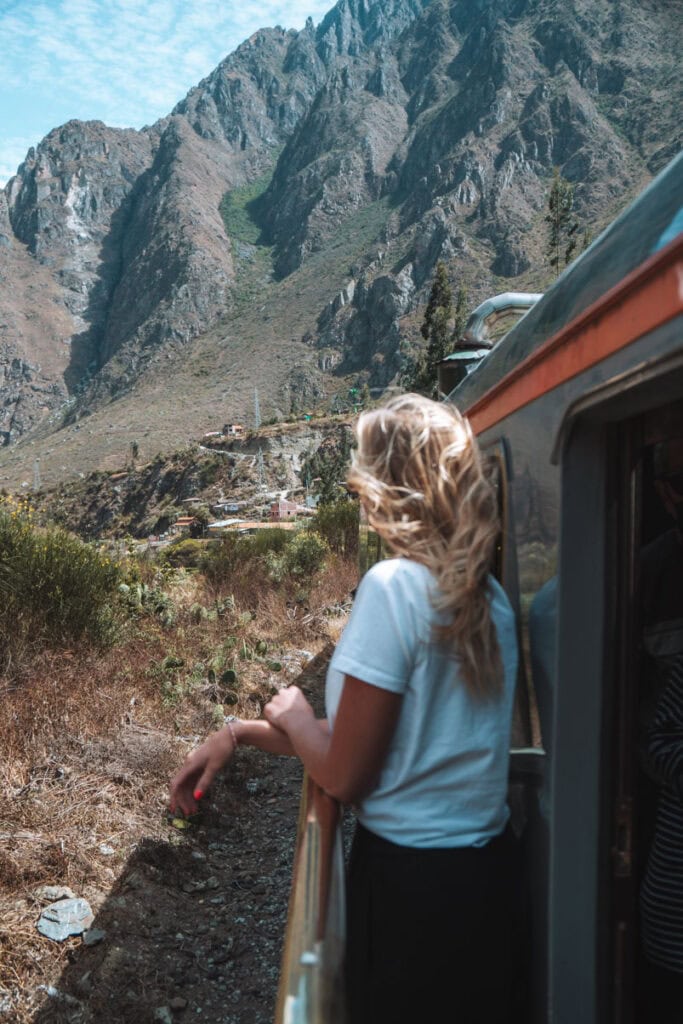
{"x": 616, "y": 891}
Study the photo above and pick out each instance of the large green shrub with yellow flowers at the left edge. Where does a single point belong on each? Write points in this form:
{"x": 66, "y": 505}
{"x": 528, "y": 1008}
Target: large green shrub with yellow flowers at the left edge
{"x": 55, "y": 589}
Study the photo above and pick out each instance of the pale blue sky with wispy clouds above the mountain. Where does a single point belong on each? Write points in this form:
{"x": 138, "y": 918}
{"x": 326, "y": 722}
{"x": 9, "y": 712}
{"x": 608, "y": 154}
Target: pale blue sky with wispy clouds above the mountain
{"x": 123, "y": 62}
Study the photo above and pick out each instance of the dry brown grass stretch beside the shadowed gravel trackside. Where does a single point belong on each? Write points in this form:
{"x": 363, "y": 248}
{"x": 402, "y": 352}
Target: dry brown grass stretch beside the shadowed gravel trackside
{"x": 89, "y": 742}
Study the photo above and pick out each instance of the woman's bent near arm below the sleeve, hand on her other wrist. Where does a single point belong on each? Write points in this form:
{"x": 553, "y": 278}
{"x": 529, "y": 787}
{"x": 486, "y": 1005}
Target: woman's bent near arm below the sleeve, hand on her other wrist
{"x": 348, "y": 761}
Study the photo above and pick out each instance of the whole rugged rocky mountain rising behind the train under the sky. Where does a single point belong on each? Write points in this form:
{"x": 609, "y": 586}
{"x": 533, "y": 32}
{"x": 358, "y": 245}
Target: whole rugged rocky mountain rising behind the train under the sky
{"x": 281, "y": 227}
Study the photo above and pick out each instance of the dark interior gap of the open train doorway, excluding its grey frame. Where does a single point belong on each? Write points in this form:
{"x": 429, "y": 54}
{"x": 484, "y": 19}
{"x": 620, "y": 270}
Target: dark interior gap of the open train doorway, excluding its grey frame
{"x": 647, "y": 844}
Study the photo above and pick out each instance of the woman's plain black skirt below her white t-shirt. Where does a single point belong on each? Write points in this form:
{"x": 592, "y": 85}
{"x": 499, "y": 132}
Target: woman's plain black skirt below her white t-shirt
{"x": 434, "y": 934}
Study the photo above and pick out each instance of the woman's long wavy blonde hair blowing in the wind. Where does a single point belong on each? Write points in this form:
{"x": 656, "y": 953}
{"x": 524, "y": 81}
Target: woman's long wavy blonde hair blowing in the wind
{"x": 420, "y": 477}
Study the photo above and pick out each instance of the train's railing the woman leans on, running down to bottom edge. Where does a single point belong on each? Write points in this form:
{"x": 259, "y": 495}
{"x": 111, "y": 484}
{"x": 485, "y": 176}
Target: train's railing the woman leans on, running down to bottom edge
{"x": 311, "y": 990}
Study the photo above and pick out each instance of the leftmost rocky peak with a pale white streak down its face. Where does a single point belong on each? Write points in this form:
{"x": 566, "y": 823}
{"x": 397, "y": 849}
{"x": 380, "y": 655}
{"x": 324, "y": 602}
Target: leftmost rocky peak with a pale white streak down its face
{"x": 64, "y": 219}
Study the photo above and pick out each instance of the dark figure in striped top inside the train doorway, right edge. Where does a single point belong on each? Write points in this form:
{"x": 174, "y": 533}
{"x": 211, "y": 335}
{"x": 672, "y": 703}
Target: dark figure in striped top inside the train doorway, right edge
{"x": 661, "y": 750}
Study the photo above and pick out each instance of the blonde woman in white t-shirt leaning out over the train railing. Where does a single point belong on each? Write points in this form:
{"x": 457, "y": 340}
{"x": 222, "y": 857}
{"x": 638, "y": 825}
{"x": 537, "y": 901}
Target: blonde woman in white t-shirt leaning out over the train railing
{"x": 419, "y": 699}
